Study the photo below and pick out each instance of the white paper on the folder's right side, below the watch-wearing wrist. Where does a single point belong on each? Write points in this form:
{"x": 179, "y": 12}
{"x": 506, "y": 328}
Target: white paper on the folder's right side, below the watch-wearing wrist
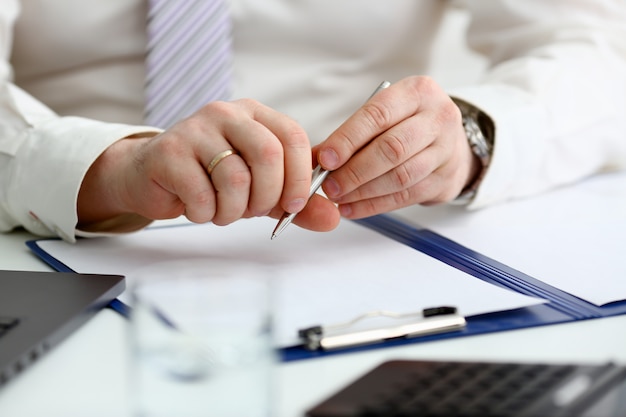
{"x": 569, "y": 238}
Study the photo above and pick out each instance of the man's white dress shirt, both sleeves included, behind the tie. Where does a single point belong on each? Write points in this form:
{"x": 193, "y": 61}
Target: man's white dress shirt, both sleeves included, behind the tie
{"x": 71, "y": 80}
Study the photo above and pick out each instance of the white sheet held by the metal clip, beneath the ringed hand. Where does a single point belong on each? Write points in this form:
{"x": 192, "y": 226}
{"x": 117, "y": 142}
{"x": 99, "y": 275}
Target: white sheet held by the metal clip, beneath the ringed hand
{"x": 322, "y": 278}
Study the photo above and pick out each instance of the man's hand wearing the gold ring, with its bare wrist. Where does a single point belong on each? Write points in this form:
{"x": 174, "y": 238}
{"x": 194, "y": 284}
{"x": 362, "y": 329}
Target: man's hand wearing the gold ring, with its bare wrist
{"x": 166, "y": 176}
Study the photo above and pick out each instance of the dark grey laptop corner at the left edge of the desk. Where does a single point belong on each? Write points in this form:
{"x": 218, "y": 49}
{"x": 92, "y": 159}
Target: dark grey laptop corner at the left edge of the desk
{"x": 40, "y": 309}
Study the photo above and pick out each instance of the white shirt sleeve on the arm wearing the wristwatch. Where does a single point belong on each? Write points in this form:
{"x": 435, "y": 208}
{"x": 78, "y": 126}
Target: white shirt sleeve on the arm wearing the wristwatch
{"x": 555, "y": 89}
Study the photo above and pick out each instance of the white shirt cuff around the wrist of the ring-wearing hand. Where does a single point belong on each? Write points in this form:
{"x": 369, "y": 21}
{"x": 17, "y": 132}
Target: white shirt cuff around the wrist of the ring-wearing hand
{"x": 50, "y": 166}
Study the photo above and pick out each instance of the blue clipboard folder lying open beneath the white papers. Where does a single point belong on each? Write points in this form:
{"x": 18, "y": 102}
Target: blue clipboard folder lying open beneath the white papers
{"x": 560, "y": 308}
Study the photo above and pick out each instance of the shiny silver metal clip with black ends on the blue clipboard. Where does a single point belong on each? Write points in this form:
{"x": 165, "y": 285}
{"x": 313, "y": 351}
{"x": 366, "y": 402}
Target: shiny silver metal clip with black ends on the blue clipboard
{"x": 428, "y": 321}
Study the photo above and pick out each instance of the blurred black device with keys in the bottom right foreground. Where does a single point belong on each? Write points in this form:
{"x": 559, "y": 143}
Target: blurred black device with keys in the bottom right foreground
{"x": 414, "y": 388}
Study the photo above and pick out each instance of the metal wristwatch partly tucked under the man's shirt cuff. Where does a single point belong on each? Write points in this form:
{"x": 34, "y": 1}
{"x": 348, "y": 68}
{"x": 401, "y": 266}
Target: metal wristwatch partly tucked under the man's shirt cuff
{"x": 479, "y": 131}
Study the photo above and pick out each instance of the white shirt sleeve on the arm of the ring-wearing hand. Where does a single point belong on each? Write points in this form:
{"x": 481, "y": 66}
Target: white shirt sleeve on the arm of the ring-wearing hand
{"x": 43, "y": 157}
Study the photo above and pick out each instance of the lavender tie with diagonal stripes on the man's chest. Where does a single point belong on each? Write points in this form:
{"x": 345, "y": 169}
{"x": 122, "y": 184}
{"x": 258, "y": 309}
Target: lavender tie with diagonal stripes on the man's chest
{"x": 188, "y": 62}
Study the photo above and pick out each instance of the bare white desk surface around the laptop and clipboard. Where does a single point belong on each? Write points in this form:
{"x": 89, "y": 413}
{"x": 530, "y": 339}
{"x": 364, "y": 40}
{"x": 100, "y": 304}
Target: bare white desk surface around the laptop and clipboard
{"x": 84, "y": 376}
